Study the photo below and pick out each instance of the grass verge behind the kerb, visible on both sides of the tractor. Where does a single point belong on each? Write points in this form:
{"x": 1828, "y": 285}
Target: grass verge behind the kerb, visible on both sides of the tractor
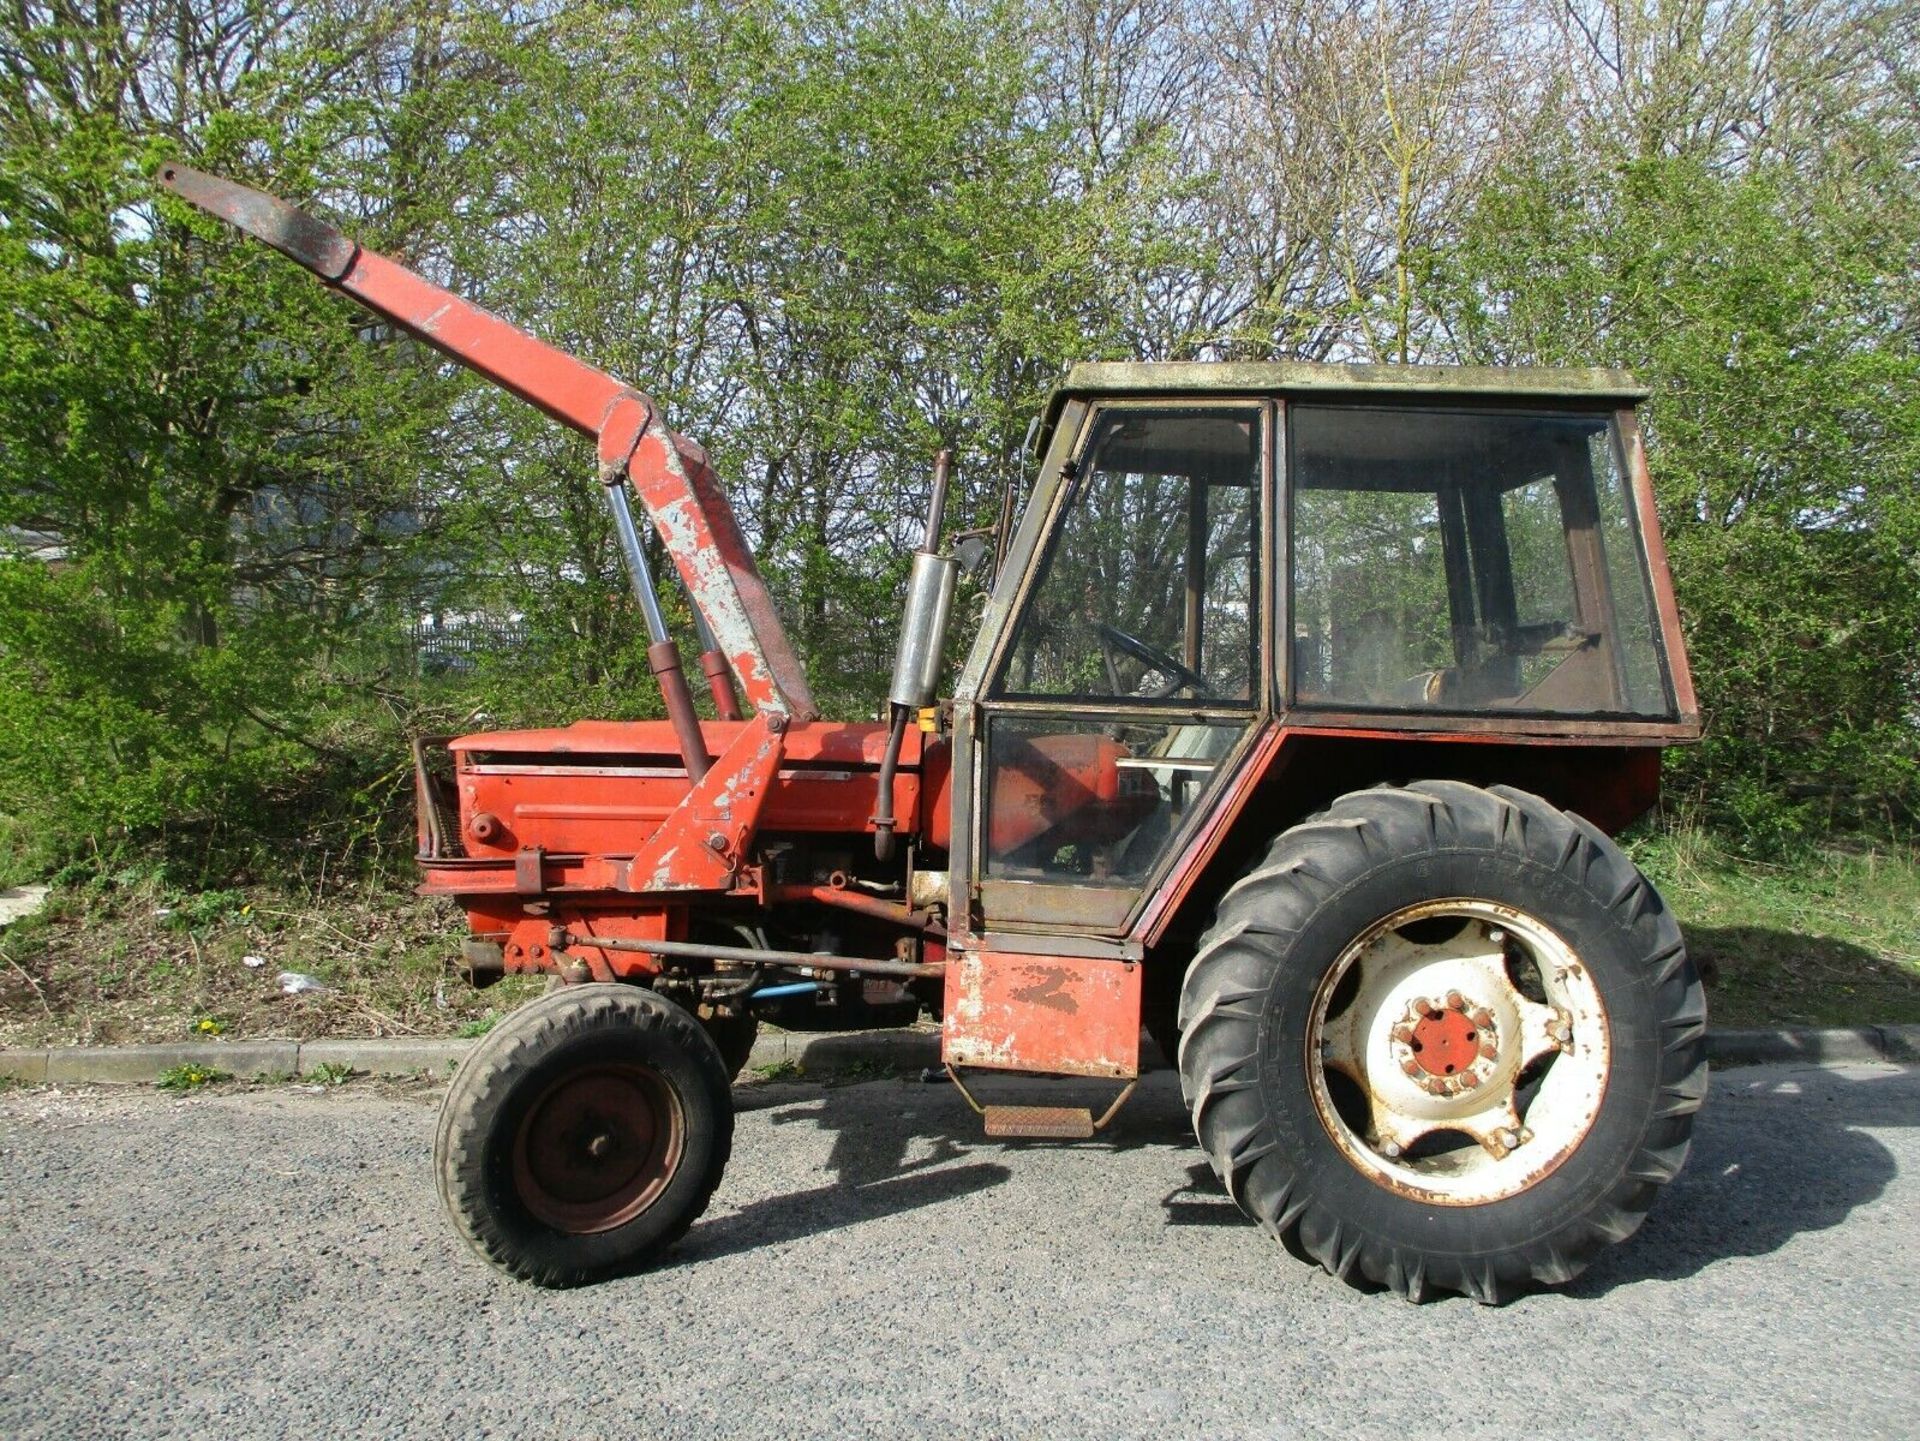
{"x": 1829, "y": 939}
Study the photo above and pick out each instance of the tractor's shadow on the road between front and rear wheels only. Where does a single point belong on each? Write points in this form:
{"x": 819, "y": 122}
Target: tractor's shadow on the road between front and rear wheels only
{"x": 901, "y": 1145}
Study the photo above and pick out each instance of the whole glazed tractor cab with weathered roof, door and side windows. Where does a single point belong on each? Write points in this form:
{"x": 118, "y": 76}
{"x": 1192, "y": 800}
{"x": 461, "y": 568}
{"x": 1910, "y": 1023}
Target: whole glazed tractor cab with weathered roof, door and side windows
{"x": 1230, "y": 573}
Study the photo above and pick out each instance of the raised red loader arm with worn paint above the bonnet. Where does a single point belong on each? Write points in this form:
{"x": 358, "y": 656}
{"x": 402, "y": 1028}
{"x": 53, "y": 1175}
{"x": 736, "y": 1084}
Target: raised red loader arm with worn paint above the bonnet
{"x": 667, "y": 471}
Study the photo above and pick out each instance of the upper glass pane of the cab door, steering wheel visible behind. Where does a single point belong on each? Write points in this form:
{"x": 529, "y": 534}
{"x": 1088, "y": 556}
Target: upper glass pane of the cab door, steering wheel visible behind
{"x": 1149, "y": 590}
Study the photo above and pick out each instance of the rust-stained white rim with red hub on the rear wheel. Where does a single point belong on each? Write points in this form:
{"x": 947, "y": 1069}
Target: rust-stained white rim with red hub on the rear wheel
{"x": 1433, "y": 1068}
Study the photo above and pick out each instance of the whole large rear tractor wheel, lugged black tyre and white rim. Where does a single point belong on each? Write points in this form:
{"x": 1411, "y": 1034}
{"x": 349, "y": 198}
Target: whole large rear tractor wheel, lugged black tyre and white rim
{"x": 1445, "y": 1039}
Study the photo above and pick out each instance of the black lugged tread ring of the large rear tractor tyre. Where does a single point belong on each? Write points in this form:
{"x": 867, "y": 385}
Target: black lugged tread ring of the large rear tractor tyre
{"x": 1278, "y": 897}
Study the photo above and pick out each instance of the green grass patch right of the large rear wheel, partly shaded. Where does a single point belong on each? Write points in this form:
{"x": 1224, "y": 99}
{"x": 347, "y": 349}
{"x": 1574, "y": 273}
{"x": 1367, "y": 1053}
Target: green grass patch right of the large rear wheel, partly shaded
{"x": 1827, "y": 939}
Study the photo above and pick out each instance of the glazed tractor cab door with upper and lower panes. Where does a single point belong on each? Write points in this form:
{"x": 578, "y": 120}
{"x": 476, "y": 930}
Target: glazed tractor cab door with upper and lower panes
{"x": 1134, "y": 669}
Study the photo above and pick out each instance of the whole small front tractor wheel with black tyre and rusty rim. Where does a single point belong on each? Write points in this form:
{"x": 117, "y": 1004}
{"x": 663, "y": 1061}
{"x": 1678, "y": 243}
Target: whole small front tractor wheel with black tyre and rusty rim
{"x": 585, "y": 1135}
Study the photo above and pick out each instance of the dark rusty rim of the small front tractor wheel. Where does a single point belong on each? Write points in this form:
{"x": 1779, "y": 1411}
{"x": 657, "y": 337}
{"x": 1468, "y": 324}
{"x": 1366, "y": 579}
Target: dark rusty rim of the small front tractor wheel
{"x": 598, "y": 1146}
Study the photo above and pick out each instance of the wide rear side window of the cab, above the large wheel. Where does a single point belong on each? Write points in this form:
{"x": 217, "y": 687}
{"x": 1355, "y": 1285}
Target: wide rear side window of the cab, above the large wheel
{"x": 1468, "y": 561}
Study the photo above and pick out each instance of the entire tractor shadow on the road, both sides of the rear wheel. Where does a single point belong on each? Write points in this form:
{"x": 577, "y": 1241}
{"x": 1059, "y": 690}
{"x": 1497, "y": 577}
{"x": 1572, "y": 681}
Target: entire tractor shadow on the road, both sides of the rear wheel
{"x": 1779, "y": 1152}
